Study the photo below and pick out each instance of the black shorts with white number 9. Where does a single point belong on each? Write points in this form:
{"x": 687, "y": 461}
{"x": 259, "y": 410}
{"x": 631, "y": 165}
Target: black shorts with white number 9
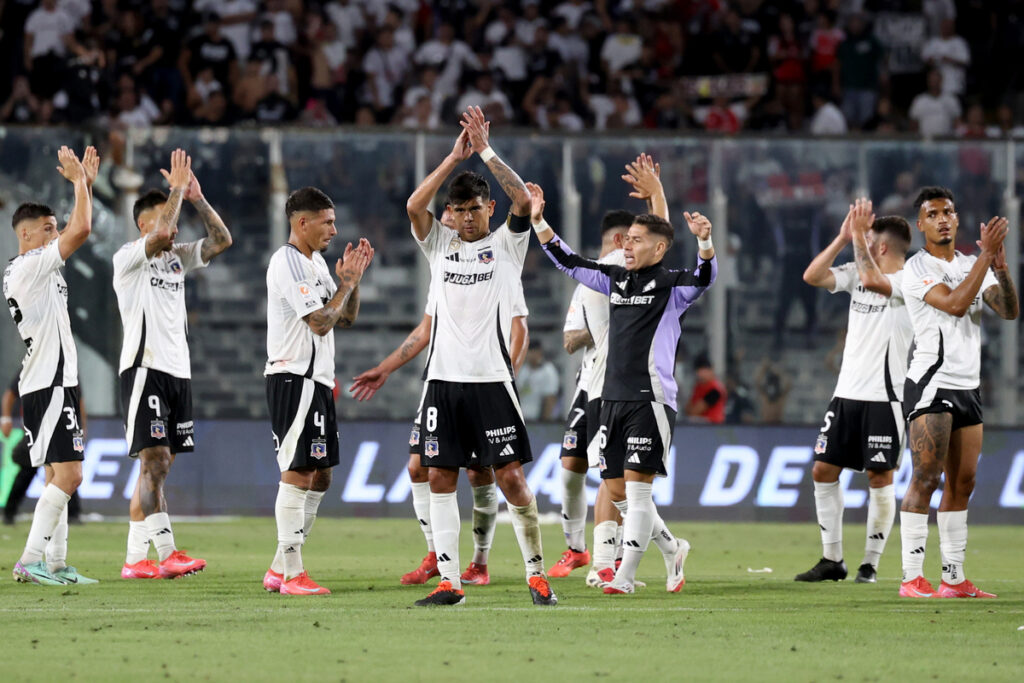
{"x": 157, "y": 409}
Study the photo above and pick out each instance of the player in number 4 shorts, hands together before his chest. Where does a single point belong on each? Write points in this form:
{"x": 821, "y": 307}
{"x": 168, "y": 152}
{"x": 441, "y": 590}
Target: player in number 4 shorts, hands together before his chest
{"x": 304, "y": 308}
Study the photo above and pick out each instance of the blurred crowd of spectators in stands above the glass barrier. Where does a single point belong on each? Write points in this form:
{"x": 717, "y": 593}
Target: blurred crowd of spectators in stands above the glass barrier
{"x": 824, "y": 67}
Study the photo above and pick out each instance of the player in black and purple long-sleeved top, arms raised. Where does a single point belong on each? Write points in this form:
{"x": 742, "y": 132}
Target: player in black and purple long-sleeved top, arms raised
{"x": 638, "y": 403}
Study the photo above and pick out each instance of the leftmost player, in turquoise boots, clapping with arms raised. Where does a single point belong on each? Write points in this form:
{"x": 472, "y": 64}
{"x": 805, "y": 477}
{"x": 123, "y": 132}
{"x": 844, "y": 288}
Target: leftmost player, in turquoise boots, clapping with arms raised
{"x": 37, "y": 296}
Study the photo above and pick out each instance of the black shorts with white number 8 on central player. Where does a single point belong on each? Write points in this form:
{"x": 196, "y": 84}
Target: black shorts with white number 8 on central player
{"x": 467, "y": 424}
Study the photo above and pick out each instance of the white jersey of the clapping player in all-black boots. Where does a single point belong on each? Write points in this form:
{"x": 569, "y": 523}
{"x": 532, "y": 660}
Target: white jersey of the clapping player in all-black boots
{"x": 878, "y": 339}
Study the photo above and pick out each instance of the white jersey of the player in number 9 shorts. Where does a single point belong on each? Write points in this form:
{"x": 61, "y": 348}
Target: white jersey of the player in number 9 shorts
{"x": 152, "y": 300}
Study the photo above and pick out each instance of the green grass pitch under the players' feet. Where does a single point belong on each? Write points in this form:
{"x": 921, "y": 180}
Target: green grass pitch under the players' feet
{"x": 727, "y": 625}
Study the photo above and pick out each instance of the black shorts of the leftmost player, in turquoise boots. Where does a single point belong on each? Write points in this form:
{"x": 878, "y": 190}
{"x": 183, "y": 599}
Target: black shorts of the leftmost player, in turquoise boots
{"x": 53, "y": 426}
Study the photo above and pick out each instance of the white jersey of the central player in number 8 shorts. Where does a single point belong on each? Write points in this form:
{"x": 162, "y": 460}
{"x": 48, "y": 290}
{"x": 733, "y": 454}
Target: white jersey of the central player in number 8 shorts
{"x": 476, "y": 286}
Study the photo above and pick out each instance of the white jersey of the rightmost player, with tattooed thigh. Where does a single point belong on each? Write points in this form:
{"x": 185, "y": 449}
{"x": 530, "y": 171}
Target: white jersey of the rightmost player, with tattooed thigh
{"x": 947, "y": 349}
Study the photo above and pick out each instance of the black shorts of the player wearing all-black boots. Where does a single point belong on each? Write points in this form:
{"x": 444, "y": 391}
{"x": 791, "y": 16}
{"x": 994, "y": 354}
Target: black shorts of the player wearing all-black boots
{"x": 862, "y": 436}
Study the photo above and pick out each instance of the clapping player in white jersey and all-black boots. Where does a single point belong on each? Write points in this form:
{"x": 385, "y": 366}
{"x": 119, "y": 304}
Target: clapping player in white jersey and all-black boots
{"x": 864, "y": 426}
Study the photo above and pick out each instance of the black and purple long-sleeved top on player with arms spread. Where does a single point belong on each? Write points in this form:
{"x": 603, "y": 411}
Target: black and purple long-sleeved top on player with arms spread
{"x": 646, "y": 320}
